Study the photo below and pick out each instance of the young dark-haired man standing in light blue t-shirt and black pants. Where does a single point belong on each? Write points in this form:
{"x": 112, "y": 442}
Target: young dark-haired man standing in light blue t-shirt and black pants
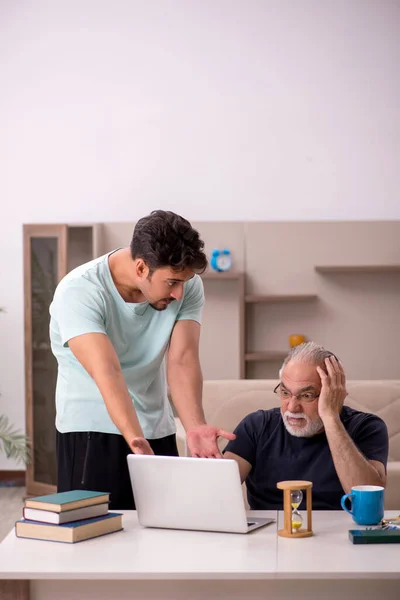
{"x": 112, "y": 322}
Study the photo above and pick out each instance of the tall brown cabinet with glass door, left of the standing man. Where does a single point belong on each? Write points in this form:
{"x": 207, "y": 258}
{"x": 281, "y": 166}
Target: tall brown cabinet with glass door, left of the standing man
{"x": 50, "y": 251}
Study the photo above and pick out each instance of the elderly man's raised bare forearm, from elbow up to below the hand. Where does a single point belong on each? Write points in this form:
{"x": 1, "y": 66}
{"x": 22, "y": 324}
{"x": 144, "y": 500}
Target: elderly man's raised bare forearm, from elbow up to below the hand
{"x": 351, "y": 466}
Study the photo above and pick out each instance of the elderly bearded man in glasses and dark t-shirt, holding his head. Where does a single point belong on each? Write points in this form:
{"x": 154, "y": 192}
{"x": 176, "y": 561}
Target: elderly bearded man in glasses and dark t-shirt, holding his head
{"x": 312, "y": 436}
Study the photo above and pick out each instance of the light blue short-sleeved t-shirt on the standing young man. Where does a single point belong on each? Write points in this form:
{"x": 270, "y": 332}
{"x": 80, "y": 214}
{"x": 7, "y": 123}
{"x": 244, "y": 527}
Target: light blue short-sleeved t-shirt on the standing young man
{"x": 87, "y": 301}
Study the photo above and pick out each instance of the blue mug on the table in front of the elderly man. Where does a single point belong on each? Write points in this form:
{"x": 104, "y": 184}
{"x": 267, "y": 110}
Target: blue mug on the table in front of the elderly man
{"x": 366, "y": 504}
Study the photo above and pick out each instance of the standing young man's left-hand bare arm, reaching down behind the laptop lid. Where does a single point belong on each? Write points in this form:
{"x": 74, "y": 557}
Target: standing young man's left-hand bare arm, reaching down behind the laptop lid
{"x": 97, "y": 355}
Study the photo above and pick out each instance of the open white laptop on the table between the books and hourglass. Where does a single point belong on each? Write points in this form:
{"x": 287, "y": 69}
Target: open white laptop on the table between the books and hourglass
{"x": 200, "y": 494}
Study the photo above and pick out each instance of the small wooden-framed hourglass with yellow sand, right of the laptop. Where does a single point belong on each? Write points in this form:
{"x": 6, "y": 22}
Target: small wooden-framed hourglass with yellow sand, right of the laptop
{"x": 292, "y": 497}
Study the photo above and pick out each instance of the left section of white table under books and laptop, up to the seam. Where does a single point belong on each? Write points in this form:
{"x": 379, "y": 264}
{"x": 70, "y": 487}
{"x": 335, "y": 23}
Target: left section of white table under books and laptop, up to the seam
{"x": 143, "y": 553}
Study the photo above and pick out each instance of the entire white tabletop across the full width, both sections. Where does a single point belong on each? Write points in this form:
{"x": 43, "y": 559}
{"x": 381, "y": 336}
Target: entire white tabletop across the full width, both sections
{"x": 138, "y": 553}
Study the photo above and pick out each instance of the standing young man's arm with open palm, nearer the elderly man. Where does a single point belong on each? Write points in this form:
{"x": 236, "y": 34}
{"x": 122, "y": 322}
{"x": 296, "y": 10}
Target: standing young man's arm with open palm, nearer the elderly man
{"x": 186, "y": 384}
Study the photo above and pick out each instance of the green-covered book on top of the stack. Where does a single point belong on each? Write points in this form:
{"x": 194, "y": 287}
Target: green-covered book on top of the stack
{"x": 67, "y": 500}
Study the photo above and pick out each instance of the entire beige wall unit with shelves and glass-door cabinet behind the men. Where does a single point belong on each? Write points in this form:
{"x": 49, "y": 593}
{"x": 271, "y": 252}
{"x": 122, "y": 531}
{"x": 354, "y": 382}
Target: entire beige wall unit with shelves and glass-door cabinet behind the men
{"x": 348, "y": 302}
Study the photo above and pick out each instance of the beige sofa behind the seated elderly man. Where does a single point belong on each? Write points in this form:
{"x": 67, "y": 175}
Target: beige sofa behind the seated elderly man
{"x": 227, "y": 402}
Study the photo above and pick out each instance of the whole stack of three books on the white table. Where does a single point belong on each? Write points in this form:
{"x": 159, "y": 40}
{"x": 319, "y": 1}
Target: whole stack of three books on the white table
{"x": 68, "y": 517}
